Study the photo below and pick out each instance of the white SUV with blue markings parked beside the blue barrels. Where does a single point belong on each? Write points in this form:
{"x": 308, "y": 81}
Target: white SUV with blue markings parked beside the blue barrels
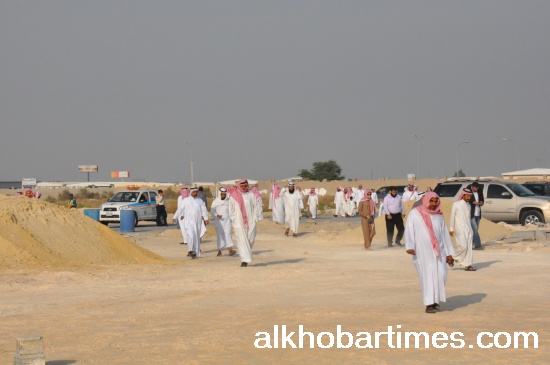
{"x": 142, "y": 202}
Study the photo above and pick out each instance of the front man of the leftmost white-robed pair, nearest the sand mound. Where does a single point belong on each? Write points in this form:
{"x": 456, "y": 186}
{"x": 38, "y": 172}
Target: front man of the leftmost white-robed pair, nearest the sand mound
{"x": 193, "y": 216}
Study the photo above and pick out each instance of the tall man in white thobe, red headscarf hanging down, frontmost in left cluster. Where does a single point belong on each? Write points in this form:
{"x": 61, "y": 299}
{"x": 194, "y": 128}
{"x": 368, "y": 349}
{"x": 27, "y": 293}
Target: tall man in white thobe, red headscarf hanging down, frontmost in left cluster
{"x": 243, "y": 211}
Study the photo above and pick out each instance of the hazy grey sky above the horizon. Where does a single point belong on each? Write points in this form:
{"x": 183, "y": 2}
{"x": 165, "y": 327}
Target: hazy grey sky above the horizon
{"x": 263, "y": 89}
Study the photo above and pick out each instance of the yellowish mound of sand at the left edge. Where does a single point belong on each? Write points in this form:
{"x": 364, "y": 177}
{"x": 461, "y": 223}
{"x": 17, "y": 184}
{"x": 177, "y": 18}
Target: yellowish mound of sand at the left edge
{"x": 35, "y": 233}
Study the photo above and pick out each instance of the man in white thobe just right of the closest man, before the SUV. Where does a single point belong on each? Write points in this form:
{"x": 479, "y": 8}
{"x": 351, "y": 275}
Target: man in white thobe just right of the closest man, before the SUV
{"x": 460, "y": 226}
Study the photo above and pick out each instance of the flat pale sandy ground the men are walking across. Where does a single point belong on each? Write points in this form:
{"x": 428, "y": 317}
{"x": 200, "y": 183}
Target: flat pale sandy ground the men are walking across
{"x": 209, "y": 310}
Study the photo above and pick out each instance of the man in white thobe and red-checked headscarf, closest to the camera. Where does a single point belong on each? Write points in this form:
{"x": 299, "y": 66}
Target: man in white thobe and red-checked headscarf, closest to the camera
{"x": 428, "y": 240}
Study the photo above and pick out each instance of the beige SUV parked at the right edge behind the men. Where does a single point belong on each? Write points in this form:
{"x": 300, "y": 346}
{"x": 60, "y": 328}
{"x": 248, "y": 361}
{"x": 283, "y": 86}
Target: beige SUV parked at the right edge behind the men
{"x": 504, "y": 201}
